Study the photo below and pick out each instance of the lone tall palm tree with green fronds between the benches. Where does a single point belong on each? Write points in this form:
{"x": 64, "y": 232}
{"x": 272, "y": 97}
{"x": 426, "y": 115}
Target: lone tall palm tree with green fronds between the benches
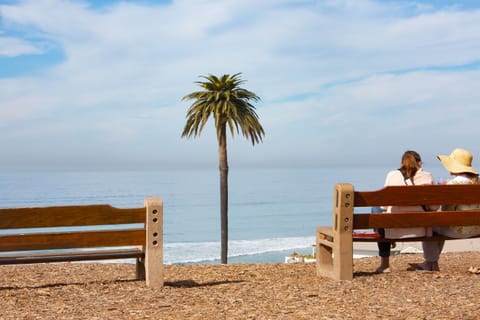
{"x": 229, "y": 104}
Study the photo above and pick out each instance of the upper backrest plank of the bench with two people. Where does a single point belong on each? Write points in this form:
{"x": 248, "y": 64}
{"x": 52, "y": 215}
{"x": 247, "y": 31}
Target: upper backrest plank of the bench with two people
{"x": 418, "y": 195}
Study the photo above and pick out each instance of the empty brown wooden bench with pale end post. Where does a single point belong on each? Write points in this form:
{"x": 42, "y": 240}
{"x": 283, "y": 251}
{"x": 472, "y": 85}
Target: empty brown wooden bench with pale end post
{"x": 87, "y": 232}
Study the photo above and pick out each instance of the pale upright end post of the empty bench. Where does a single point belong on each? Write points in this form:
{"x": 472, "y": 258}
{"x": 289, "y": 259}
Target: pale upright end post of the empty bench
{"x": 154, "y": 243}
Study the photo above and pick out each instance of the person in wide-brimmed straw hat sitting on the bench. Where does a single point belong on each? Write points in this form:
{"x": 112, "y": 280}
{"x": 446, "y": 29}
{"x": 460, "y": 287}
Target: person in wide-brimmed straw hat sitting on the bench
{"x": 459, "y": 164}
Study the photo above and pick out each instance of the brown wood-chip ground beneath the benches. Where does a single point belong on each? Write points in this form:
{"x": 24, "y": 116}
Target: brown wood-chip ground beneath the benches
{"x": 243, "y": 291}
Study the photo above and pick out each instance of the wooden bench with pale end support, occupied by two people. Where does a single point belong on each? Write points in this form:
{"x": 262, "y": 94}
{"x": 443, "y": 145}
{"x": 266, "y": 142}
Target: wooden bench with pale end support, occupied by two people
{"x": 334, "y": 245}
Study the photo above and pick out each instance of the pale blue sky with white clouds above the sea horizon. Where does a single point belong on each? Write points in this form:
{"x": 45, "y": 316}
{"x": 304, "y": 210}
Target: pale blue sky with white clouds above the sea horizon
{"x": 99, "y": 84}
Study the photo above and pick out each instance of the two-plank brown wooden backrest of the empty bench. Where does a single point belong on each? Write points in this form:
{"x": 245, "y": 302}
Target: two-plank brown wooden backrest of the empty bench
{"x": 64, "y": 227}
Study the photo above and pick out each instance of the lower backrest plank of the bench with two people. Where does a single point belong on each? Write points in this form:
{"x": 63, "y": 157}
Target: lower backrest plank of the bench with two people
{"x": 416, "y": 219}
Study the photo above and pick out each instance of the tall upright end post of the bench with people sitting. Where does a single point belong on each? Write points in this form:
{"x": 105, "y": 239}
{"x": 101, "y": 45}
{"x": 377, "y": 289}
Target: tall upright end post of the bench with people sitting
{"x": 342, "y": 231}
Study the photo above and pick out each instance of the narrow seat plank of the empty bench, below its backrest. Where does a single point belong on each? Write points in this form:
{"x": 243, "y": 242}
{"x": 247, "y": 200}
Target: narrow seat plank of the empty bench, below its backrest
{"x": 71, "y": 256}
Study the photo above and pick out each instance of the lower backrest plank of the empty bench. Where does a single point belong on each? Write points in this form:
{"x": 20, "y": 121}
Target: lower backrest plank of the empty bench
{"x": 68, "y": 240}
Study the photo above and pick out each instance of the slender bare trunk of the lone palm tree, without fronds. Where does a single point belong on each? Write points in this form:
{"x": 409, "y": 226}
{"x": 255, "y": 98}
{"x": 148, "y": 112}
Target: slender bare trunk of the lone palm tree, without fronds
{"x": 223, "y": 167}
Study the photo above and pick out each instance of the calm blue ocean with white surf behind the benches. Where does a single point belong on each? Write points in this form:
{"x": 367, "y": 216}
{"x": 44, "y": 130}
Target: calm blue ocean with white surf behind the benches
{"x": 272, "y": 212}
